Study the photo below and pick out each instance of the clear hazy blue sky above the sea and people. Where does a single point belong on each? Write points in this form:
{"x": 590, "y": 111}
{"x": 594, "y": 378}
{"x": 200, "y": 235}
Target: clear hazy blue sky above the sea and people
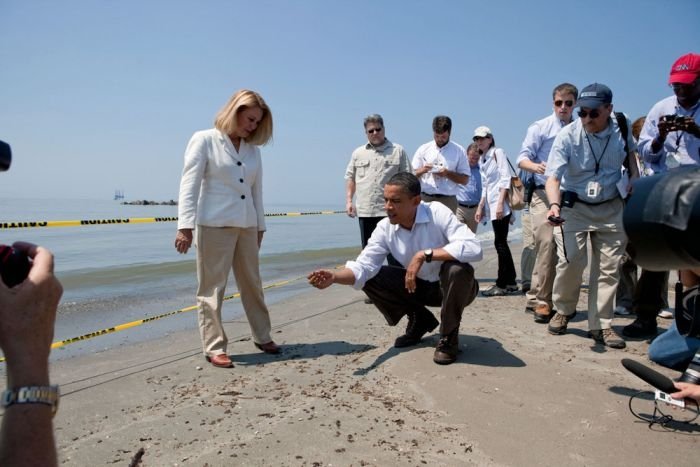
{"x": 98, "y": 95}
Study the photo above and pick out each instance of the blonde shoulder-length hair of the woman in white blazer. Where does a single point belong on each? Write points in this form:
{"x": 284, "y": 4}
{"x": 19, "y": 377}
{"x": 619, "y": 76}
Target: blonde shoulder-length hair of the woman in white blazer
{"x": 226, "y": 120}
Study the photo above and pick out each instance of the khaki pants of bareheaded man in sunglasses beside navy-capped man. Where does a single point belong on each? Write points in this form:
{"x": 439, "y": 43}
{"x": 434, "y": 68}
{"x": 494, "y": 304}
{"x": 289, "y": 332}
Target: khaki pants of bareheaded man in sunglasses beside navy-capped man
{"x": 545, "y": 250}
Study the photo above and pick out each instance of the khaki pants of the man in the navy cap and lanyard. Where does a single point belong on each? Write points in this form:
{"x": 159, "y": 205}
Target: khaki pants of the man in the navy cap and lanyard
{"x": 602, "y": 224}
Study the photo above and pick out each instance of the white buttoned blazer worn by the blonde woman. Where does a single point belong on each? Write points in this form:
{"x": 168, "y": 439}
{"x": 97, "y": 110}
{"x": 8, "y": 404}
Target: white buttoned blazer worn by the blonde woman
{"x": 220, "y": 187}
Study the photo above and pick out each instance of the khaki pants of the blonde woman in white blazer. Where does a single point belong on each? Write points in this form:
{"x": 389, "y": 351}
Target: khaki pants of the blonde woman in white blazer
{"x": 219, "y": 249}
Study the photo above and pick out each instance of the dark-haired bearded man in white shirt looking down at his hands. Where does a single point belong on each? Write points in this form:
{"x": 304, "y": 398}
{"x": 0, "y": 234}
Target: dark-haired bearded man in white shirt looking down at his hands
{"x": 441, "y": 166}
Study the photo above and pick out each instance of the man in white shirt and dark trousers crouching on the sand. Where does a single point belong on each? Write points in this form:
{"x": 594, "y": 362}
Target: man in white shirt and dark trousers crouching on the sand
{"x": 435, "y": 249}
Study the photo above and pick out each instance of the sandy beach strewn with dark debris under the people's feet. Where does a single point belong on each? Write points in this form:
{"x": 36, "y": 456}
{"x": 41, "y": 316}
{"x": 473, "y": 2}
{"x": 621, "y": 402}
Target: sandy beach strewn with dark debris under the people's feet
{"x": 341, "y": 395}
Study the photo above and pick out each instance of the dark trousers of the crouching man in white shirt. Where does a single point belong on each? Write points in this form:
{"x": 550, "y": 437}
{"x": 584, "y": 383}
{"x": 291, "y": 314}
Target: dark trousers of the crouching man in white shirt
{"x": 456, "y": 289}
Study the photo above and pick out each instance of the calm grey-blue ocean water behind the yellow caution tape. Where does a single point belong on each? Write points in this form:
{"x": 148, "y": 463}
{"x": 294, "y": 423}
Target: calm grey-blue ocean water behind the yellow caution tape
{"x": 117, "y": 273}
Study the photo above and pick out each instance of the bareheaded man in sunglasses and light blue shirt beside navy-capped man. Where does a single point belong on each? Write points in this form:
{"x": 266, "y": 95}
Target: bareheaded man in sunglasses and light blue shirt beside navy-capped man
{"x": 533, "y": 158}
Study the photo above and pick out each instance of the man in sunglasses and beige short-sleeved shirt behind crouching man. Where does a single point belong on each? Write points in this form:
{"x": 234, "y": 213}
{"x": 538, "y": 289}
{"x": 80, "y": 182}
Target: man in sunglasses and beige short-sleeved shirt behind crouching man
{"x": 371, "y": 165}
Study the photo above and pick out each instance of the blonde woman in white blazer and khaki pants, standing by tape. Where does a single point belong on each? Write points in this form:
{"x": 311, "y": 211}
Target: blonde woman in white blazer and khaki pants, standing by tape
{"x": 221, "y": 195}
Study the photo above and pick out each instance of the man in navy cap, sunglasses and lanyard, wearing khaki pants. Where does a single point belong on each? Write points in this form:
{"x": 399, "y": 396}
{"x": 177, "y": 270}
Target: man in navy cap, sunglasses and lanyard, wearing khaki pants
{"x": 582, "y": 175}
